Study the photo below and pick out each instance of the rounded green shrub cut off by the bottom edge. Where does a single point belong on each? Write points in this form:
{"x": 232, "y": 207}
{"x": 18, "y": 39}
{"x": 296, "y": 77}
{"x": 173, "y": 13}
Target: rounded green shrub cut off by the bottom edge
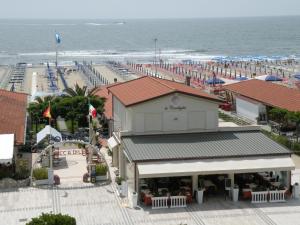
{"x": 52, "y": 219}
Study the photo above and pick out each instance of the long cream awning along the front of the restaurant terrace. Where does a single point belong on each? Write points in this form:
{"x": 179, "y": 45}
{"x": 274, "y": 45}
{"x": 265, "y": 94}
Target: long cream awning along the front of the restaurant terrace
{"x": 214, "y": 166}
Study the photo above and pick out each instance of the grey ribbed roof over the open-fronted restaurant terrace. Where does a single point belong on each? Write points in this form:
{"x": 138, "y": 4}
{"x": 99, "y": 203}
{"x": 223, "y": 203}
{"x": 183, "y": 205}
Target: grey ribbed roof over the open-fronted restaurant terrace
{"x": 201, "y": 146}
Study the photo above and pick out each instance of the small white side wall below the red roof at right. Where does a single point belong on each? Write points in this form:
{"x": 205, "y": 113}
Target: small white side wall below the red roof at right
{"x": 248, "y": 109}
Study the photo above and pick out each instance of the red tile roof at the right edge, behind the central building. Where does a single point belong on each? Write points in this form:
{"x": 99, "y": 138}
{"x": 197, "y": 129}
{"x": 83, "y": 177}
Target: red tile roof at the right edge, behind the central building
{"x": 270, "y": 94}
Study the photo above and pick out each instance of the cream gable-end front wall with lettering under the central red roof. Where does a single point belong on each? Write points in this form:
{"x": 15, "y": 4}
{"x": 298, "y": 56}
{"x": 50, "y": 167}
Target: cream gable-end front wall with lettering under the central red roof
{"x": 159, "y": 115}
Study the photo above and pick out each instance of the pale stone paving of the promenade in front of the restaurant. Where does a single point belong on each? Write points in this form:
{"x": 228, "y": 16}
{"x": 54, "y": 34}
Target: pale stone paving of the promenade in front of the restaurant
{"x": 100, "y": 205}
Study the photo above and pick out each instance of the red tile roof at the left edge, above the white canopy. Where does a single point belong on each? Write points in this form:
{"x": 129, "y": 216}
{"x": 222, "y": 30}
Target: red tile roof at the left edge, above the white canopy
{"x": 13, "y": 114}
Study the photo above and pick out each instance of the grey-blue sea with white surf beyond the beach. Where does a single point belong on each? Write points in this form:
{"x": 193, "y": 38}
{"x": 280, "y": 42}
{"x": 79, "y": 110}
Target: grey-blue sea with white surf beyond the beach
{"x": 261, "y": 38}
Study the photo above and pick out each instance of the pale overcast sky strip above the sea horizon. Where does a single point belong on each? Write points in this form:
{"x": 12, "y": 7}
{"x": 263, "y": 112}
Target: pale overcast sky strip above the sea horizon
{"x": 122, "y": 9}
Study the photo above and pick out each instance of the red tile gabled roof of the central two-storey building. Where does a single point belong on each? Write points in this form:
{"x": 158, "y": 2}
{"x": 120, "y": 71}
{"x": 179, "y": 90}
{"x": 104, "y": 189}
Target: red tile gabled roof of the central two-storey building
{"x": 147, "y": 88}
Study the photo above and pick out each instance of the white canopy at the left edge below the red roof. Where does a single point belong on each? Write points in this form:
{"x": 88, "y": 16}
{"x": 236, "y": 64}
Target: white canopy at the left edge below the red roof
{"x": 6, "y": 148}
